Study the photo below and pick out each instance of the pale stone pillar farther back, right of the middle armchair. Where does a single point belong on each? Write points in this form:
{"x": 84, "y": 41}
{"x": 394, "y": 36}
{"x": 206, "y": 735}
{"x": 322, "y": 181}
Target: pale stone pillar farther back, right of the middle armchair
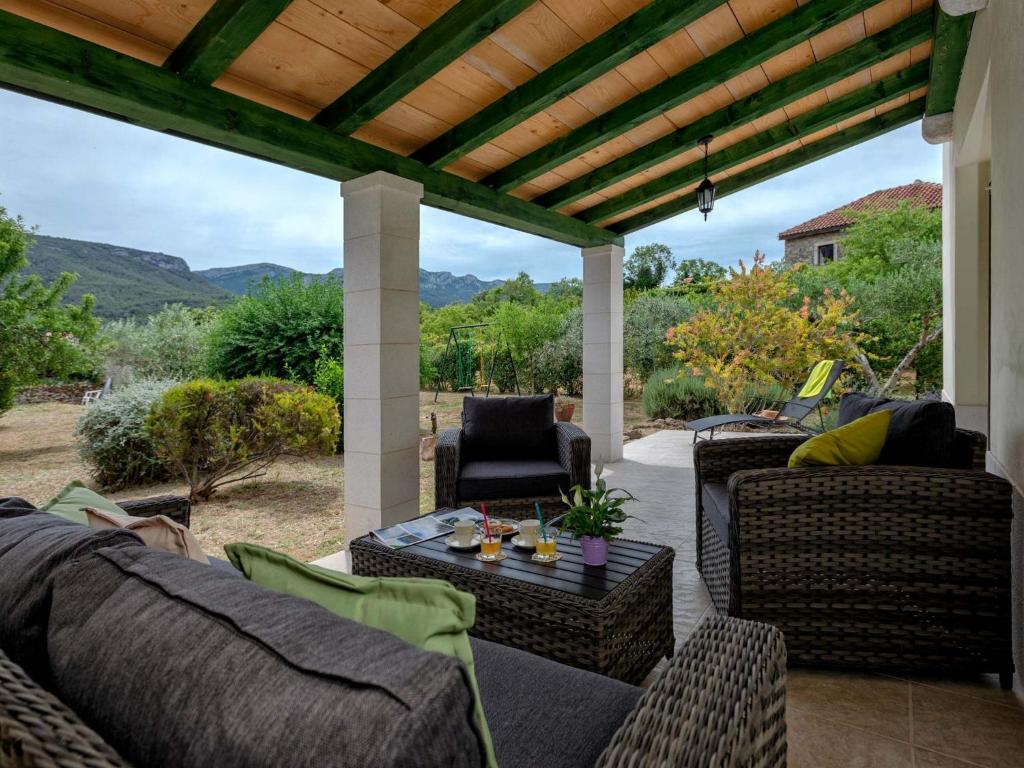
{"x": 603, "y": 352}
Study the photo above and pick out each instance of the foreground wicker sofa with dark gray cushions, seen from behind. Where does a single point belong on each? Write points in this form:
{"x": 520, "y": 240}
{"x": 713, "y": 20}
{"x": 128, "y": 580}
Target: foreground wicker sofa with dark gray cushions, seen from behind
{"x": 720, "y": 702}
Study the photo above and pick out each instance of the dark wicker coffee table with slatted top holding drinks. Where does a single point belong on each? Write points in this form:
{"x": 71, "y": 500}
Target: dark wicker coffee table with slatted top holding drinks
{"x": 615, "y": 620}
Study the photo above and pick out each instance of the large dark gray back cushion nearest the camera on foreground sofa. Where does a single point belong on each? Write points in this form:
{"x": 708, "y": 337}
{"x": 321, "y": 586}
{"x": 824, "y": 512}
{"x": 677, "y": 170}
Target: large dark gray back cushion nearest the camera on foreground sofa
{"x": 219, "y": 671}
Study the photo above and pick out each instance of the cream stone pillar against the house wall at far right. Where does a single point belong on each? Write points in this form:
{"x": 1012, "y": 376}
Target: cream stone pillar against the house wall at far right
{"x": 965, "y": 284}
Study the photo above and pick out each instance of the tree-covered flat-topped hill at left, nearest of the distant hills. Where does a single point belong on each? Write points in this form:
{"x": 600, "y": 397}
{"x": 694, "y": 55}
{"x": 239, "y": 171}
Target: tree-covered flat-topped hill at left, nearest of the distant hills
{"x": 125, "y": 282}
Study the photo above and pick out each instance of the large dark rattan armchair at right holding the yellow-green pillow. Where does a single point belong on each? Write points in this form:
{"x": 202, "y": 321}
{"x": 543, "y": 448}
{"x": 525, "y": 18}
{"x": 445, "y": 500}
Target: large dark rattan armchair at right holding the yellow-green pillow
{"x": 878, "y": 567}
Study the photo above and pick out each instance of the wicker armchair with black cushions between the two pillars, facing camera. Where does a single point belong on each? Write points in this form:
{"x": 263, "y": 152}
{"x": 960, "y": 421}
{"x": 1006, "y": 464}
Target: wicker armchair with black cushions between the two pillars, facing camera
{"x": 509, "y": 454}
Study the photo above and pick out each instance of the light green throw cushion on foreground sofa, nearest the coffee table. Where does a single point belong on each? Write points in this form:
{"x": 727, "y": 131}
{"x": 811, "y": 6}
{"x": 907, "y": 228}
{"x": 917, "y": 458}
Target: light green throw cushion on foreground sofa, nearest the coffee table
{"x": 428, "y": 613}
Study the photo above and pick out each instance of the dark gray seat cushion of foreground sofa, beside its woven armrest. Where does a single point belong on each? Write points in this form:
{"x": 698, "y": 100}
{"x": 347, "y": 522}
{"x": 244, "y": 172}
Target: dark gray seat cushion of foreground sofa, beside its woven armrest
{"x": 546, "y": 714}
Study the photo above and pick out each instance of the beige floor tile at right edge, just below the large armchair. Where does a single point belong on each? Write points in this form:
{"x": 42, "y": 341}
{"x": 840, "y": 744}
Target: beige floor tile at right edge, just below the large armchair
{"x": 969, "y": 729}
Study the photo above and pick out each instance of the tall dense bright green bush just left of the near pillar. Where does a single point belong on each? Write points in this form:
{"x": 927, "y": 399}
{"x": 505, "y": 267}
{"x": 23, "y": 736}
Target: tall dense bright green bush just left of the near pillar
{"x": 279, "y": 330}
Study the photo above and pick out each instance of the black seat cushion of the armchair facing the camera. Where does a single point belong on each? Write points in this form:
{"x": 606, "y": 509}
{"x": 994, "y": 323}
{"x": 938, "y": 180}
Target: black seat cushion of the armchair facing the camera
{"x": 513, "y": 480}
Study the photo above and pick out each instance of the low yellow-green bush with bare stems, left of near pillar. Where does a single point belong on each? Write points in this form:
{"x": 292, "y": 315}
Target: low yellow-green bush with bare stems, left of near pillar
{"x": 212, "y": 434}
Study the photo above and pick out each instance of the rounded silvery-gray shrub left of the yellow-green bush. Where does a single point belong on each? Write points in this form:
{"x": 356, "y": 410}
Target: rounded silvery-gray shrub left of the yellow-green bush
{"x": 113, "y": 441}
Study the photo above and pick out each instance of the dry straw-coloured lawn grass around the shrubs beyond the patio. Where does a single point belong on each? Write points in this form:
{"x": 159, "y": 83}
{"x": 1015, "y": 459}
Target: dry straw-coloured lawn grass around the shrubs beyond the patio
{"x": 297, "y": 508}
